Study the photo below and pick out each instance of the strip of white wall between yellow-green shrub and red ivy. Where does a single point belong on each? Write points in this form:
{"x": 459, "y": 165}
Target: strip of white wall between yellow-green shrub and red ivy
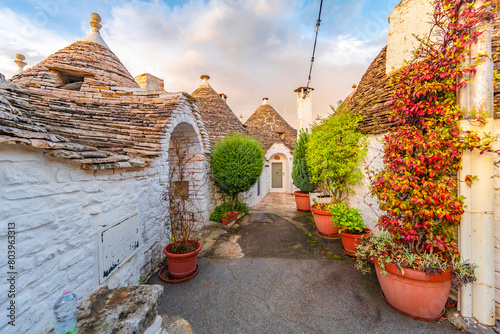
{"x": 361, "y": 199}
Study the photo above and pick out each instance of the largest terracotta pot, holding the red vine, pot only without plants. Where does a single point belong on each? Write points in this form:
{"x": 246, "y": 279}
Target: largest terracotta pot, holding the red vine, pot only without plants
{"x": 414, "y": 293}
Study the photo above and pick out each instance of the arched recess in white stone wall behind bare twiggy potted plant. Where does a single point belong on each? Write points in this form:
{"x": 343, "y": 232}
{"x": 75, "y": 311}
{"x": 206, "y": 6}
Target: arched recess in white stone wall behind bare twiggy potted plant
{"x": 187, "y": 185}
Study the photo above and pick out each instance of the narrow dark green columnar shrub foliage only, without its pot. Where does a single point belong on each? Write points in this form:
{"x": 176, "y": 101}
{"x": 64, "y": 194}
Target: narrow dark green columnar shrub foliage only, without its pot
{"x": 300, "y": 171}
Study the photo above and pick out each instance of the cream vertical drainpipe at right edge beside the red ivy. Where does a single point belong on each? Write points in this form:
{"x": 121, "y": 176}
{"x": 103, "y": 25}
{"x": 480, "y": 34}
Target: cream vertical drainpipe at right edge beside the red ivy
{"x": 477, "y": 233}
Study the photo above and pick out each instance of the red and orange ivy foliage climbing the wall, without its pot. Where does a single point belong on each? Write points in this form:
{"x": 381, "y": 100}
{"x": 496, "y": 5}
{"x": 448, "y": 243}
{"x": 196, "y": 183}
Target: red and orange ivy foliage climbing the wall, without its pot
{"x": 417, "y": 187}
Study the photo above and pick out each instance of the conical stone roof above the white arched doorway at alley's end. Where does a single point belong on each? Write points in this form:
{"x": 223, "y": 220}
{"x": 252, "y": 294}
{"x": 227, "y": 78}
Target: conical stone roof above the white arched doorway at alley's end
{"x": 267, "y": 125}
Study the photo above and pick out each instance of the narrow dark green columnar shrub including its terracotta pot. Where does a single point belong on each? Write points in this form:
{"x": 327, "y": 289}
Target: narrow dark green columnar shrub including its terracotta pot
{"x": 300, "y": 173}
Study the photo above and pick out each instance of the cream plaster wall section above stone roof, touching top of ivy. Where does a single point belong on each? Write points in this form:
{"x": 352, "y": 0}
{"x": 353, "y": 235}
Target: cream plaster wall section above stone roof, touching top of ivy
{"x": 408, "y": 18}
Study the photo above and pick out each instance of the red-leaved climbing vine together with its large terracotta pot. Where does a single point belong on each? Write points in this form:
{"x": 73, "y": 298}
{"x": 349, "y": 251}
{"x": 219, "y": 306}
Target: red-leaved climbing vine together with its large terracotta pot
{"x": 417, "y": 257}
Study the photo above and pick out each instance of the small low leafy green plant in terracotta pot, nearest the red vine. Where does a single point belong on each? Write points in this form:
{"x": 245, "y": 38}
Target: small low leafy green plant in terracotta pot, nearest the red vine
{"x": 351, "y": 225}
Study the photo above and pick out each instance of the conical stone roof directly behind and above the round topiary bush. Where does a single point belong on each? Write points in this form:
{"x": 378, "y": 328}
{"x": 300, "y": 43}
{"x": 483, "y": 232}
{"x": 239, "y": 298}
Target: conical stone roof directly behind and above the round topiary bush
{"x": 218, "y": 118}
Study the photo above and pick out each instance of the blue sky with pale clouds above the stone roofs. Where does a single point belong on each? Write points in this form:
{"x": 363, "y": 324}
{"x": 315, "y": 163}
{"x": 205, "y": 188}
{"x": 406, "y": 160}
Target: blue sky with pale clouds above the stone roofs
{"x": 250, "y": 48}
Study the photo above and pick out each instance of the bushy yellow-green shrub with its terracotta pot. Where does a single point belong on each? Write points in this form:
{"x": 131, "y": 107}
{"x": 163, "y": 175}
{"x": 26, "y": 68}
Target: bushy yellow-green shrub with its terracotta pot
{"x": 335, "y": 151}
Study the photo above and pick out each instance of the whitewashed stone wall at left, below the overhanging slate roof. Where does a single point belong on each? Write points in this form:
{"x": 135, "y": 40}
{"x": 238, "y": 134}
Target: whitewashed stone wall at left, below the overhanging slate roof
{"x": 59, "y": 211}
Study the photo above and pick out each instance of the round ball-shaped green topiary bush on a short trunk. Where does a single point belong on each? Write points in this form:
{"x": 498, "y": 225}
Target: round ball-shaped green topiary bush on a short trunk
{"x": 237, "y": 163}
